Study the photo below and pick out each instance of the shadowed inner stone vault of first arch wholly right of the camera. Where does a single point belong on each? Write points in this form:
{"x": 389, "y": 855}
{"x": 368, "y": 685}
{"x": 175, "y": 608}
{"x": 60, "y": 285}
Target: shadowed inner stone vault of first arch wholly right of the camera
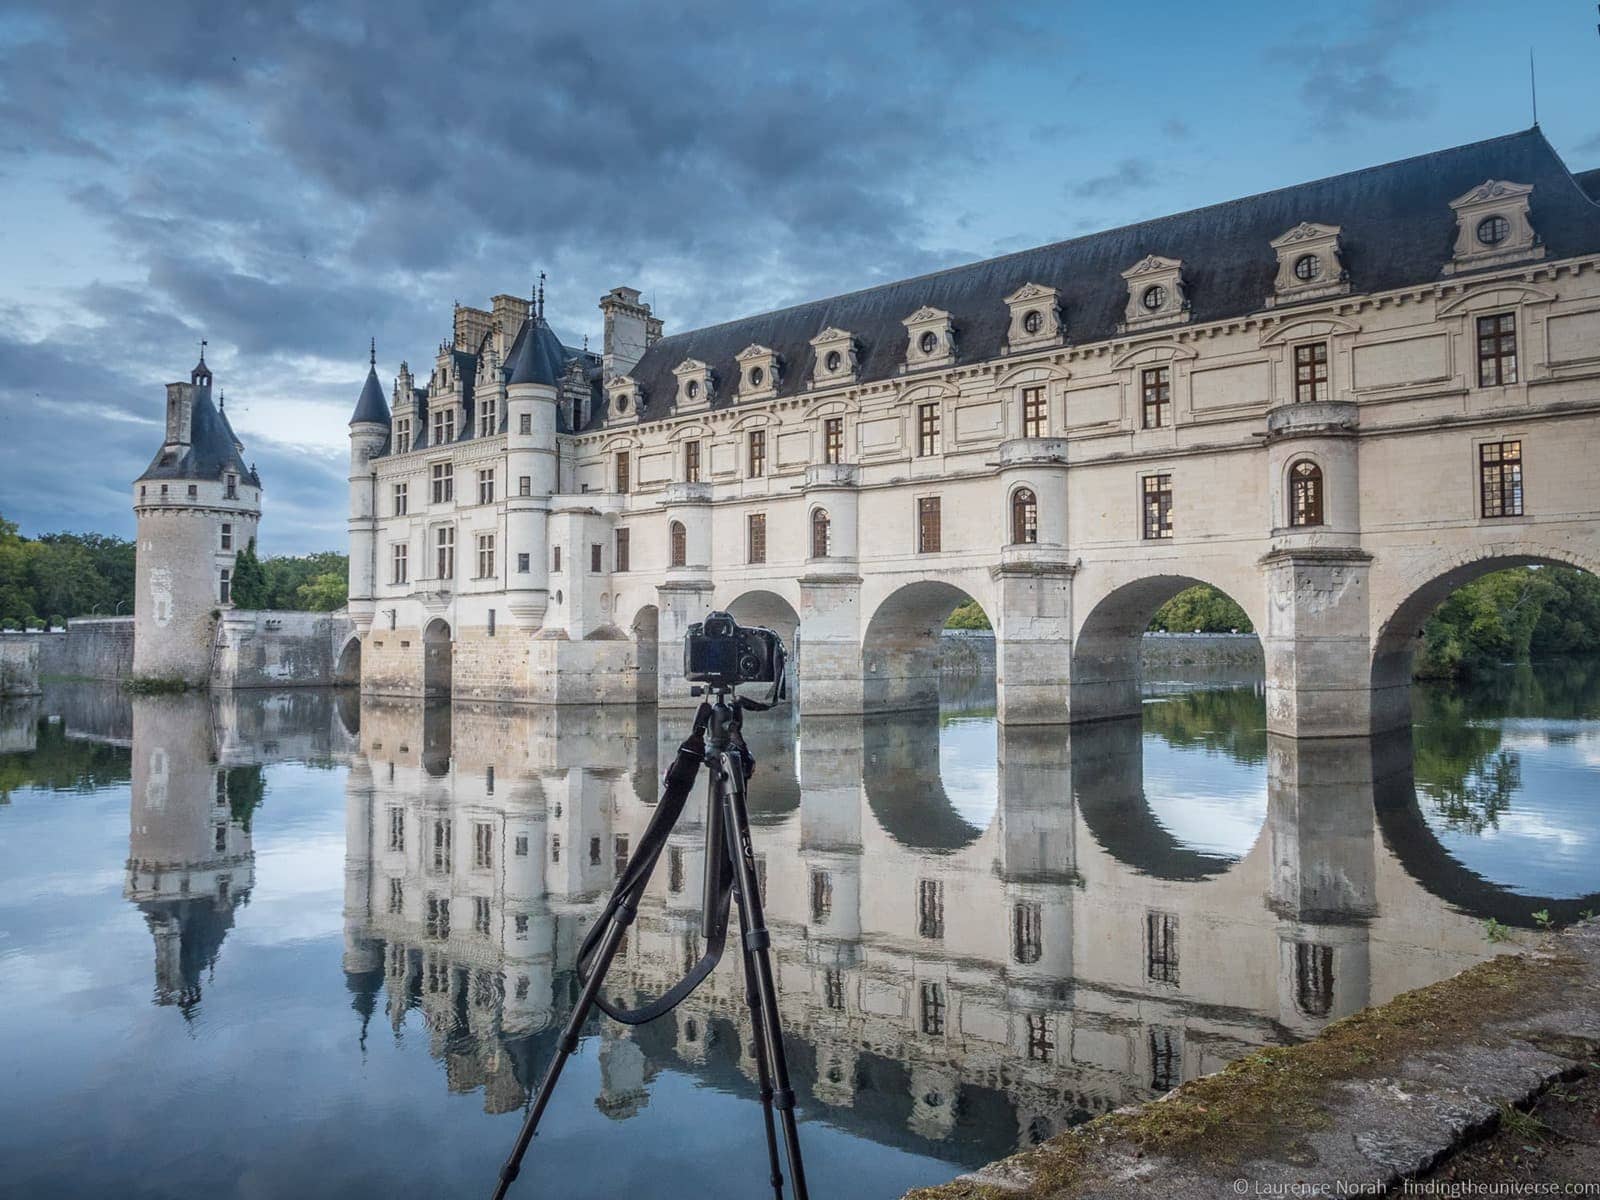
{"x": 905, "y": 644}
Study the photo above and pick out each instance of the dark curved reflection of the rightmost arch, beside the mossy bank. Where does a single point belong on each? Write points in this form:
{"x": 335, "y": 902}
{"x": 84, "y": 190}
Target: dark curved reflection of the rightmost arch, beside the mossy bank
{"x": 1426, "y": 860}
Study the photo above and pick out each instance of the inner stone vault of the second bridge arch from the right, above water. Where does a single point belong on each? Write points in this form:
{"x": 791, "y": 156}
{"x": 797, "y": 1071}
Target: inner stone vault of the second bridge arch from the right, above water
{"x": 1106, "y": 668}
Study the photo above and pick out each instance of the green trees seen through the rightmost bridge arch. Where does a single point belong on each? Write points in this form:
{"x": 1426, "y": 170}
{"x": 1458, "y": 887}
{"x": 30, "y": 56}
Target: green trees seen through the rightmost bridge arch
{"x": 1513, "y": 617}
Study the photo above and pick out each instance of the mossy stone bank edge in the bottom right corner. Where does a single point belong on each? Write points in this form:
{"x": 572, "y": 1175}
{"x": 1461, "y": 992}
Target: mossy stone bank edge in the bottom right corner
{"x": 1382, "y": 1097}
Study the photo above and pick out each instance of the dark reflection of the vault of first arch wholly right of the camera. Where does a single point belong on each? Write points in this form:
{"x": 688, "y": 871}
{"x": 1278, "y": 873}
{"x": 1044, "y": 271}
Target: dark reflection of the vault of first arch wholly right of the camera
{"x": 905, "y": 788}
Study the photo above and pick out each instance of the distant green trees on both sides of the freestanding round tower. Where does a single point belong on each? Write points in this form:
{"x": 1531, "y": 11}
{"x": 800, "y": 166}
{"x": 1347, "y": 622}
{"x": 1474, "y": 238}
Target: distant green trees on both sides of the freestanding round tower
{"x": 47, "y": 580}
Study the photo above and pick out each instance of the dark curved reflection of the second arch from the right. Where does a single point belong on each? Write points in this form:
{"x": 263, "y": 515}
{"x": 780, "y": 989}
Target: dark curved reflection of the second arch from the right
{"x": 1108, "y": 786}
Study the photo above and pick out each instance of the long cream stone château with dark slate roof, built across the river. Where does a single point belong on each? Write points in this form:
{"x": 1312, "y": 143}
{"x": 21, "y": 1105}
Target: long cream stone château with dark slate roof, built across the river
{"x": 1335, "y": 402}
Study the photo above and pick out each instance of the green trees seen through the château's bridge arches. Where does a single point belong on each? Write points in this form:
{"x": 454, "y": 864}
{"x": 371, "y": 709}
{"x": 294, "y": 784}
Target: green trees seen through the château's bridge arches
{"x": 1519, "y": 615}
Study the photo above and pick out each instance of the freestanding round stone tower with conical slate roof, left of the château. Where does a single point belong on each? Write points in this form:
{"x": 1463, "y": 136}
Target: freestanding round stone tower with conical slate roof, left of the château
{"x": 198, "y": 505}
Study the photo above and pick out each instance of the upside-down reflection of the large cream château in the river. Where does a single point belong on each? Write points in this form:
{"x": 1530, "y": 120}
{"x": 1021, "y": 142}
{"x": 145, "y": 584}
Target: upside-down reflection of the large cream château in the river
{"x": 945, "y": 978}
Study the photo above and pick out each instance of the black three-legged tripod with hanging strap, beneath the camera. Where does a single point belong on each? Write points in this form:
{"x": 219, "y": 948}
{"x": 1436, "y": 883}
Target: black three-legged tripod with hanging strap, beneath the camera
{"x": 716, "y": 743}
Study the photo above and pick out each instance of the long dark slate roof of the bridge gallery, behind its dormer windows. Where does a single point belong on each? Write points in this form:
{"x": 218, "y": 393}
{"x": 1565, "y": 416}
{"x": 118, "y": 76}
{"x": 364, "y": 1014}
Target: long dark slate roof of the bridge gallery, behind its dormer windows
{"x": 1398, "y": 230}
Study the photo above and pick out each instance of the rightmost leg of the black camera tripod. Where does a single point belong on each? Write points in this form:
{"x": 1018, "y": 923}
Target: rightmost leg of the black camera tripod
{"x": 759, "y": 964}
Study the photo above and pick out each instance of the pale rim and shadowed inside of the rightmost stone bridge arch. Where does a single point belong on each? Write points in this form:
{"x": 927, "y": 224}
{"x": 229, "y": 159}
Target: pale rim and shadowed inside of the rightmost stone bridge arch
{"x": 1399, "y": 623}
